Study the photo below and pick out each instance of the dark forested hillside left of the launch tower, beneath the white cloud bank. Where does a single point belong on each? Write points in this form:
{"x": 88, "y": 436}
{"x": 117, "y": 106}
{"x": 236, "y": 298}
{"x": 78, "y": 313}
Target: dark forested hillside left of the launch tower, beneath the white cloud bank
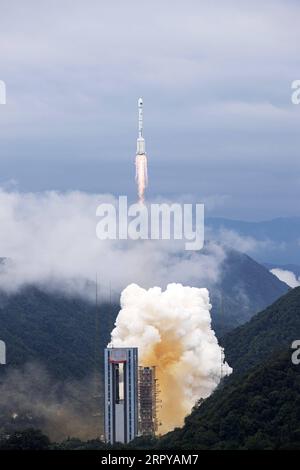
{"x": 55, "y": 330}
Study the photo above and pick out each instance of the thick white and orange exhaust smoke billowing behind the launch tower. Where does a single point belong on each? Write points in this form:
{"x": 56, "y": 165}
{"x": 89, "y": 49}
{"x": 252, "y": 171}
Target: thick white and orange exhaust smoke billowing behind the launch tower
{"x": 172, "y": 330}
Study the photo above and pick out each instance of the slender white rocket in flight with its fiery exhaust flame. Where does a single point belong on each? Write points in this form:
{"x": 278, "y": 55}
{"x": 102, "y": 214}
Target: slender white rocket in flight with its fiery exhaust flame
{"x": 141, "y": 175}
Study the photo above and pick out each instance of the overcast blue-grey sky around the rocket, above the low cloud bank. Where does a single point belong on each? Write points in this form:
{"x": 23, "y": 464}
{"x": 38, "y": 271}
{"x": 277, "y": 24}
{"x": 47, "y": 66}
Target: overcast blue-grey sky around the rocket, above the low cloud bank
{"x": 216, "y": 81}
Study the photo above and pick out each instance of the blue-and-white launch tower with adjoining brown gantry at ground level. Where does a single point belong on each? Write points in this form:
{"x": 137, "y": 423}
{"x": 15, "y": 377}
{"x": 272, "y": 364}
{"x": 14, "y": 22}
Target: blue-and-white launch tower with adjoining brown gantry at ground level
{"x": 130, "y": 396}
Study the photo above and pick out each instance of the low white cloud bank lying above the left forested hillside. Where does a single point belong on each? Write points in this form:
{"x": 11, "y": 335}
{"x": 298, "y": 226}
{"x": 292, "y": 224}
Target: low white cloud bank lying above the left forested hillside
{"x": 50, "y": 239}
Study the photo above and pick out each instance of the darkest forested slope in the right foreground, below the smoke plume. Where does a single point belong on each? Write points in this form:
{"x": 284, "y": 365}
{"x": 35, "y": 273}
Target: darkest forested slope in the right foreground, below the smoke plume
{"x": 258, "y": 410}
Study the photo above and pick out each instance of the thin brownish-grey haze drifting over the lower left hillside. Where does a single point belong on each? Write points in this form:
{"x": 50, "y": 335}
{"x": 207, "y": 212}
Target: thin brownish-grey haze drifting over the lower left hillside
{"x": 30, "y": 397}
